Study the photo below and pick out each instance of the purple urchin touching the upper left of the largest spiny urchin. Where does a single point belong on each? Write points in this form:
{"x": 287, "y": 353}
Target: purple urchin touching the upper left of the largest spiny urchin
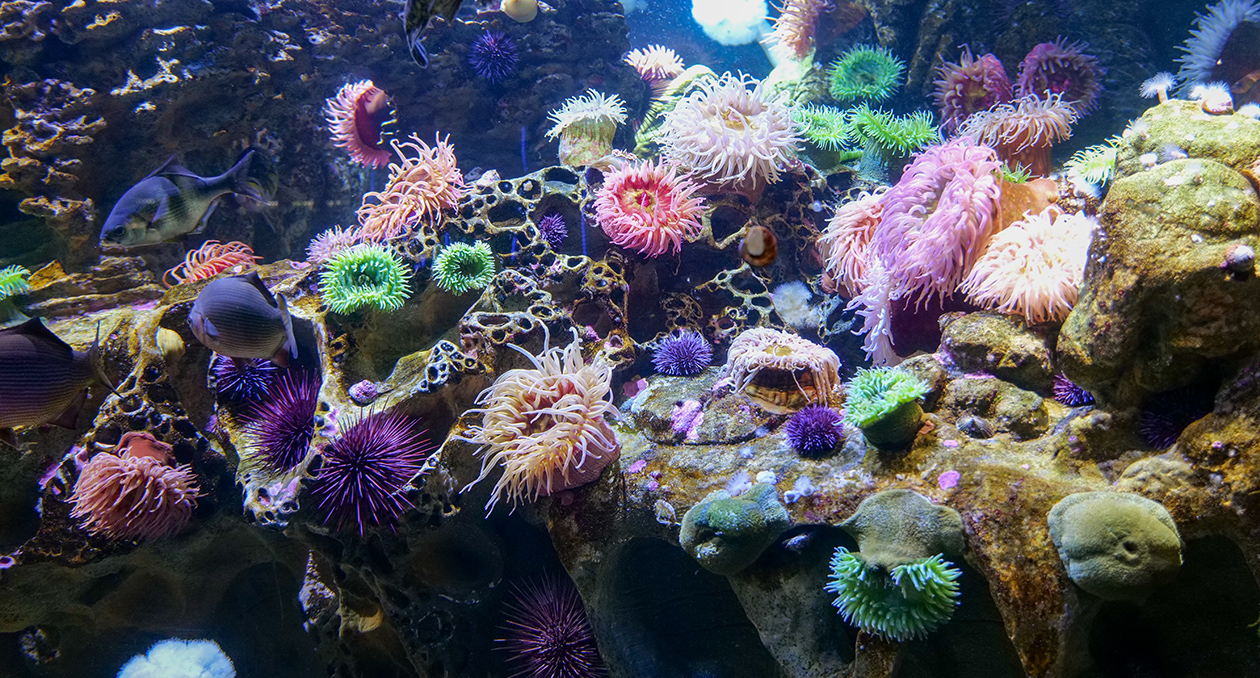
{"x": 283, "y": 423}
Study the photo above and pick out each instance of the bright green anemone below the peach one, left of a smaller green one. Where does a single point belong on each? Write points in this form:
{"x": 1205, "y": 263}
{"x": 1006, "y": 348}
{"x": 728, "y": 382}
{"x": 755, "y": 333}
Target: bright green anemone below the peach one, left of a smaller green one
{"x": 365, "y": 275}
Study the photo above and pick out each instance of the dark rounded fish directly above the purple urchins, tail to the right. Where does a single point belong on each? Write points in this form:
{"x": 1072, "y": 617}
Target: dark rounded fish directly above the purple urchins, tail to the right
{"x": 240, "y": 318}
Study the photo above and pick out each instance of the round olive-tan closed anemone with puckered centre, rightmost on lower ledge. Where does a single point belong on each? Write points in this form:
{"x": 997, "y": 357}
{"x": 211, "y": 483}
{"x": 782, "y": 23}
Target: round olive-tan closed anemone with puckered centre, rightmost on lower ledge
{"x": 1116, "y": 546}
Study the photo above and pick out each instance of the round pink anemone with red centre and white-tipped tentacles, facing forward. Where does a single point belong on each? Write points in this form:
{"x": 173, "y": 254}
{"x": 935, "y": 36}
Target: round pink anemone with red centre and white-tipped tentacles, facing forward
{"x": 647, "y": 207}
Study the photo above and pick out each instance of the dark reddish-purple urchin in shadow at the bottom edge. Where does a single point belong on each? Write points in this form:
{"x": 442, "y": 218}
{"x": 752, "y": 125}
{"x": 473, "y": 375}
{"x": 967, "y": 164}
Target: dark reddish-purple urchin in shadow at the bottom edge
{"x": 549, "y": 635}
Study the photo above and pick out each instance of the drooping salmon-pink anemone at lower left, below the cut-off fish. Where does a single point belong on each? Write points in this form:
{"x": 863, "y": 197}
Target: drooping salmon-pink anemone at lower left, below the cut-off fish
{"x": 135, "y": 493}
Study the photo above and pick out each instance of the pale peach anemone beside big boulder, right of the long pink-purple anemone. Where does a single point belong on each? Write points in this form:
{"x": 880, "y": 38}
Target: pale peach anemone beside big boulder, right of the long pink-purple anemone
{"x": 1034, "y": 268}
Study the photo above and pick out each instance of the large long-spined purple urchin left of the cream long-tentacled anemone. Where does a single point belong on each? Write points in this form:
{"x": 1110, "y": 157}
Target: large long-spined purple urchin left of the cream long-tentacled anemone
{"x": 364, "y": 481}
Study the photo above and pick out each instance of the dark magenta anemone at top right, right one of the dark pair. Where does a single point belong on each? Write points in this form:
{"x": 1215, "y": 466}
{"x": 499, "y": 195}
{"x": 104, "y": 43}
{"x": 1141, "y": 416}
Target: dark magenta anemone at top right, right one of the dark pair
{"x": 1063, "y": 70}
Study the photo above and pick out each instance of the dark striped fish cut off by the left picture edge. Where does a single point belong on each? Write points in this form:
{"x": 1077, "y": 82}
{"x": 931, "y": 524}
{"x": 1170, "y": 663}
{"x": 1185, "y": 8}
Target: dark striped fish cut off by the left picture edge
{"x": 42, "y": 379}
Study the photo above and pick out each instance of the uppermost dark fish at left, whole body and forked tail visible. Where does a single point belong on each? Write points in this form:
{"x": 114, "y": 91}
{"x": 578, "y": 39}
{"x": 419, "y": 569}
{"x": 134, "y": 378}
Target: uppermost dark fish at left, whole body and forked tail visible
{"x": 172, "y": 202}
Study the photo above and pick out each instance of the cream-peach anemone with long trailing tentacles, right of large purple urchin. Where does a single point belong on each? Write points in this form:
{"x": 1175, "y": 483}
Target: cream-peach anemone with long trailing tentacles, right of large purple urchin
{"x": 546, "y": 425}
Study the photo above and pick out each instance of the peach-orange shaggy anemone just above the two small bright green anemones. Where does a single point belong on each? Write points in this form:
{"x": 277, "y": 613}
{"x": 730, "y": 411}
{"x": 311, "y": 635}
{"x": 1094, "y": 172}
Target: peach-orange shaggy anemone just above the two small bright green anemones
{"x": 420, "y": 188}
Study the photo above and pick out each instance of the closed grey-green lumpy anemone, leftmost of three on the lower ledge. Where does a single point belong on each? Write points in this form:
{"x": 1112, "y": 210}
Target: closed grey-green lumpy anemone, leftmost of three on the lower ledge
{"x": 728, "y": 534}
